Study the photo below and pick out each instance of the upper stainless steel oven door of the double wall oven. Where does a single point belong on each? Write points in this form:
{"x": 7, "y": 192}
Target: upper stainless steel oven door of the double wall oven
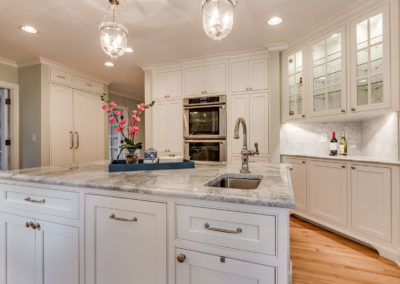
{"x": 204, "y": 122}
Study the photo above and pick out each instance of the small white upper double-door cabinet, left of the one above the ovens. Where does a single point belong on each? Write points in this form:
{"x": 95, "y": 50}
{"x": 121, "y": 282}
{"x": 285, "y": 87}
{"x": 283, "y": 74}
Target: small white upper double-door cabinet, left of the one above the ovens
{"x": 167, "y": 85}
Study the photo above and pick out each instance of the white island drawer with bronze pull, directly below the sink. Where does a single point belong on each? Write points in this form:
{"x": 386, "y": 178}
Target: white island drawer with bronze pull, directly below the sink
{"x": 237, "y": 230}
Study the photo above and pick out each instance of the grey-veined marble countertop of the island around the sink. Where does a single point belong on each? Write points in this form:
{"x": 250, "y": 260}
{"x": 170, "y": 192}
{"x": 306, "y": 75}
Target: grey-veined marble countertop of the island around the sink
{"x": 275, "y": 189}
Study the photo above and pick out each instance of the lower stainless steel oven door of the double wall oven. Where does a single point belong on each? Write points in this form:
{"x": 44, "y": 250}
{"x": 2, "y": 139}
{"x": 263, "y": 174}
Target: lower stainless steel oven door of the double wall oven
{"x": 206, "y": 150}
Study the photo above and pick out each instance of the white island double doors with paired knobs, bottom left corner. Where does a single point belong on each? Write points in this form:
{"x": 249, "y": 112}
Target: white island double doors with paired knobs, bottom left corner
{"x": 37, "y": 252}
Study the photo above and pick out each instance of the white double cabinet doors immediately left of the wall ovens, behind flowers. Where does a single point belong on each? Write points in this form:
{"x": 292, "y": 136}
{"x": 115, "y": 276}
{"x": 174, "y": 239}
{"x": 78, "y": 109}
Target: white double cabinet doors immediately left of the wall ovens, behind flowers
{"x": 168, "y": 126}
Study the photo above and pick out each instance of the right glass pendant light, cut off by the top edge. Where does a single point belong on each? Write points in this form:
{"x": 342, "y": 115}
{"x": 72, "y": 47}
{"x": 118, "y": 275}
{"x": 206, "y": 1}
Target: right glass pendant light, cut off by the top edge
{"x": 218, "y": 18}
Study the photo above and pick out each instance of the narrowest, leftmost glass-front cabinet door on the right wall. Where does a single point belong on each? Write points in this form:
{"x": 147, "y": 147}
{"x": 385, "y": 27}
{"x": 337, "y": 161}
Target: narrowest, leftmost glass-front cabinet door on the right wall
{"x": 295, "y": 85}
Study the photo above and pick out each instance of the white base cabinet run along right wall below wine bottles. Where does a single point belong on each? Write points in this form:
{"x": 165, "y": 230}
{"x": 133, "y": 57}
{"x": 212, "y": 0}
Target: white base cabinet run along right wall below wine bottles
{"x": 356, "y": 199}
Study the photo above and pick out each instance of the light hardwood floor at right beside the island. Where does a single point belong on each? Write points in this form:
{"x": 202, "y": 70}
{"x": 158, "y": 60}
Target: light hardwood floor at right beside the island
{"x": 319, "y": 256}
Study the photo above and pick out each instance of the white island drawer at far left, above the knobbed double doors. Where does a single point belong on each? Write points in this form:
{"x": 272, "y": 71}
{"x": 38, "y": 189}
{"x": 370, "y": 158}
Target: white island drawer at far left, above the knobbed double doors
{"x": 52, "y": 202}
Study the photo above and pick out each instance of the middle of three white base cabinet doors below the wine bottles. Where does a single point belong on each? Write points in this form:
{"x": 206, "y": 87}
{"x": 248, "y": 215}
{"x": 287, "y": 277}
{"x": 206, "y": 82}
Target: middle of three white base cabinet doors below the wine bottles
{"x": 327, "y": 191}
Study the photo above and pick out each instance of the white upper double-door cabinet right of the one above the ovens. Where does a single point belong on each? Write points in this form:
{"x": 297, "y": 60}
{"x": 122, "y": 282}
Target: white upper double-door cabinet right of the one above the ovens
{"x": 251, "y": 75}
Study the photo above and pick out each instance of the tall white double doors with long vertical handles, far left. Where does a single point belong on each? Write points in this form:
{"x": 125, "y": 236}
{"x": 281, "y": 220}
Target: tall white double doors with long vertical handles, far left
{"x": 76, "y": 126}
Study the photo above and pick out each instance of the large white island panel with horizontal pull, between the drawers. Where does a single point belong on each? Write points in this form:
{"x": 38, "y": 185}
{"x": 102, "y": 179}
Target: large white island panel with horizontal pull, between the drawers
{"x": 125, "y": 241}
